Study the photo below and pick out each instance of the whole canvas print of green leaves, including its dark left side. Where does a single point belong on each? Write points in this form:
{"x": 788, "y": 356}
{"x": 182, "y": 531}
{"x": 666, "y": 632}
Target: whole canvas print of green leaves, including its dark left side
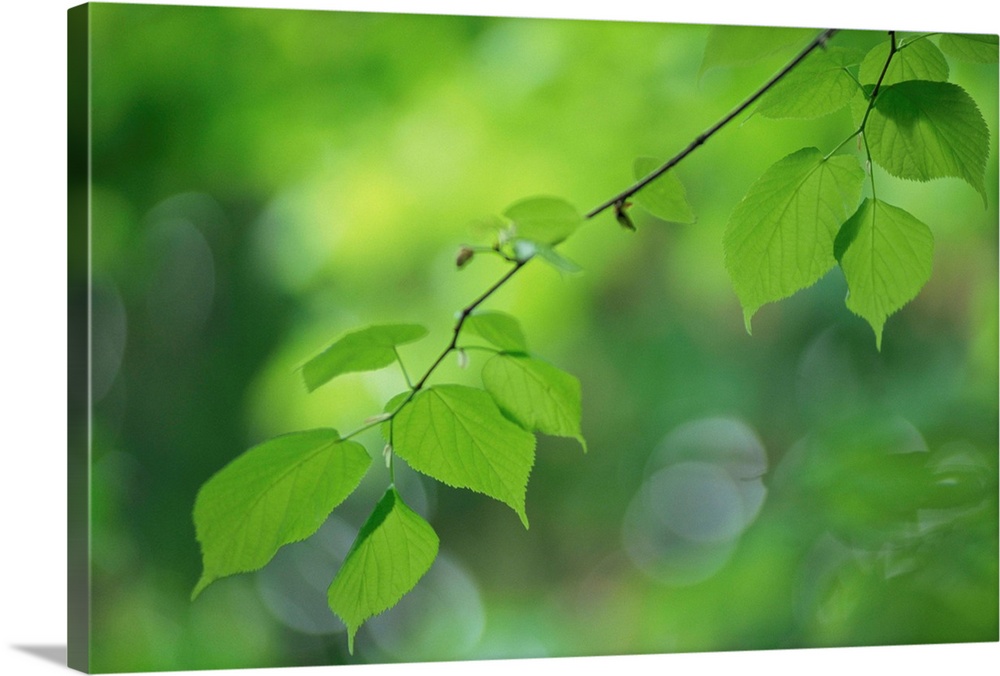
{"x": 407, "y": 337}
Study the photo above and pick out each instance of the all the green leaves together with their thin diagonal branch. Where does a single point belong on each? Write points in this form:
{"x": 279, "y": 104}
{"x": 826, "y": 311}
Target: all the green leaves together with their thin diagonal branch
{"x": 802, "y": 217}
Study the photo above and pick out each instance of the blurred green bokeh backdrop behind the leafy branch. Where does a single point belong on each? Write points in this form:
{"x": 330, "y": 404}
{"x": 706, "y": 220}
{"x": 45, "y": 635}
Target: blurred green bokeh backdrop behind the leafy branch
{"x": 266, "y": 180}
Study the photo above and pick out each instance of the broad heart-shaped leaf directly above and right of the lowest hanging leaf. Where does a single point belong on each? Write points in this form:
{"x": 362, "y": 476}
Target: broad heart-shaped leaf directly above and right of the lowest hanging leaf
{"x": 457, "y": 435}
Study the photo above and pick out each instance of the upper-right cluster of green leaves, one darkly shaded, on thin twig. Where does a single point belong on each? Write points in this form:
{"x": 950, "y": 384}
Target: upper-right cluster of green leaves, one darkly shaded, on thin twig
{"x": 806, "y": 214}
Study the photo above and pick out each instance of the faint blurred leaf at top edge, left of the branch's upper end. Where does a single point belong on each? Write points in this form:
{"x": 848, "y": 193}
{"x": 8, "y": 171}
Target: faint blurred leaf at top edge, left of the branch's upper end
{"x": 741, "y": 45}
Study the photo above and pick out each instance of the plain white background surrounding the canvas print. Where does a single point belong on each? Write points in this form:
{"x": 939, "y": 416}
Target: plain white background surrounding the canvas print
{"x": 33, "y": 330}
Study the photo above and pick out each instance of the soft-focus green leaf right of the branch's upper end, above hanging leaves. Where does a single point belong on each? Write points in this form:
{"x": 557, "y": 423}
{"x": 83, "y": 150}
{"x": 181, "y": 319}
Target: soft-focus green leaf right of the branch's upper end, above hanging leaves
{"x": 820, "y": 85}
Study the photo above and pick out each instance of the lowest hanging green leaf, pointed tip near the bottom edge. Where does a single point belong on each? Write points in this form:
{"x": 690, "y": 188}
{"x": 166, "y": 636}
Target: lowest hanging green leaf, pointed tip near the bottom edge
{"x": 393, "y": 550}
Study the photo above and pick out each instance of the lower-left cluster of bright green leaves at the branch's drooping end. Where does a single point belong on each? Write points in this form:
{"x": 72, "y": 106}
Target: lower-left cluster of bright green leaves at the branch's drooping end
{"x": 481, "y": 439}
